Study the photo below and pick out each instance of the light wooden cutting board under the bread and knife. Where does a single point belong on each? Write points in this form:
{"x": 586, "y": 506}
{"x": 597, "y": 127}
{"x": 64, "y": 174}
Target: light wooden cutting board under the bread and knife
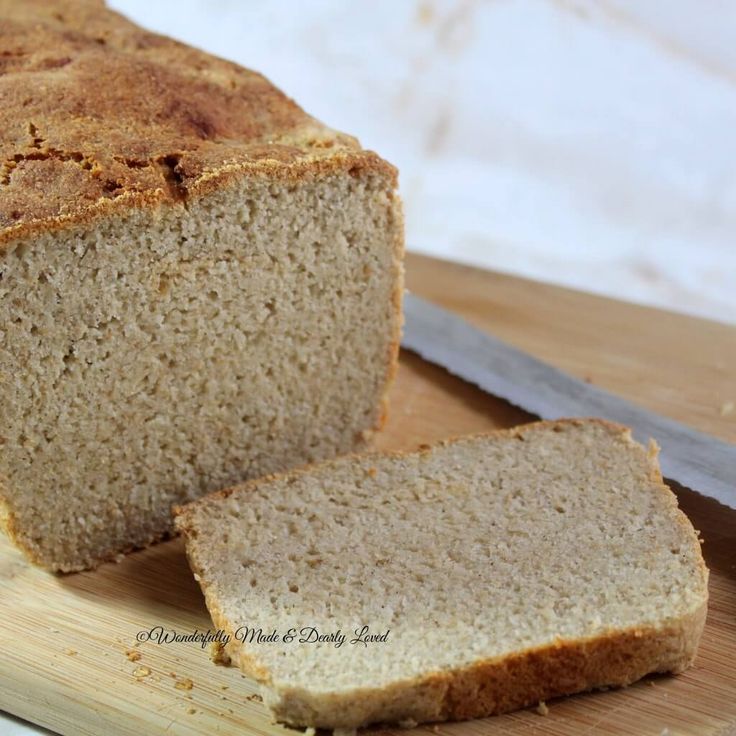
{"x": 68, "y": 643}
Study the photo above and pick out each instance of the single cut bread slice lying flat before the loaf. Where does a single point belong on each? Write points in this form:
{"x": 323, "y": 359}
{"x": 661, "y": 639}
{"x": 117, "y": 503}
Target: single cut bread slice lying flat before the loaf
{"x": 506, "y": 568}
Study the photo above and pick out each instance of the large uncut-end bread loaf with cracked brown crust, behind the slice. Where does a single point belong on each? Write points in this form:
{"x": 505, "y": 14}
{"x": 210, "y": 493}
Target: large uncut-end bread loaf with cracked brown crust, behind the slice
{"x": 199, "y": 283}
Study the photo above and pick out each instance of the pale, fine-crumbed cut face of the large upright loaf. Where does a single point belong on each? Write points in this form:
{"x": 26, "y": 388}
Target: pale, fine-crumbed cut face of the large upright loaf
{"x": 158, "y": 355}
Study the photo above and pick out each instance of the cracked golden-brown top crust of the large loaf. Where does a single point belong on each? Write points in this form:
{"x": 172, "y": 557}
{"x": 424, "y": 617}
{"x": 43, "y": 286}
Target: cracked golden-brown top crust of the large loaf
{"x": 98, "y": 114}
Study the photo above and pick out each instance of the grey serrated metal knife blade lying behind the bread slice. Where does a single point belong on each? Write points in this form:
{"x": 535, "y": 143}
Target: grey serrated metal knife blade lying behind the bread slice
{"x": 691, "y": 458}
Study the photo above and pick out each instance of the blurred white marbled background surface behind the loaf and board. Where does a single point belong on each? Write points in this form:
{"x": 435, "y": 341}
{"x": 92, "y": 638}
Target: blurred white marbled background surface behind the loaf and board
{"x": 591, "y": 144}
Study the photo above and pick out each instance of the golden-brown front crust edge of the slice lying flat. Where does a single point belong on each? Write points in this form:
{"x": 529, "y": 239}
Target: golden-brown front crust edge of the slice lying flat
{"x": 520, "y": 679}
